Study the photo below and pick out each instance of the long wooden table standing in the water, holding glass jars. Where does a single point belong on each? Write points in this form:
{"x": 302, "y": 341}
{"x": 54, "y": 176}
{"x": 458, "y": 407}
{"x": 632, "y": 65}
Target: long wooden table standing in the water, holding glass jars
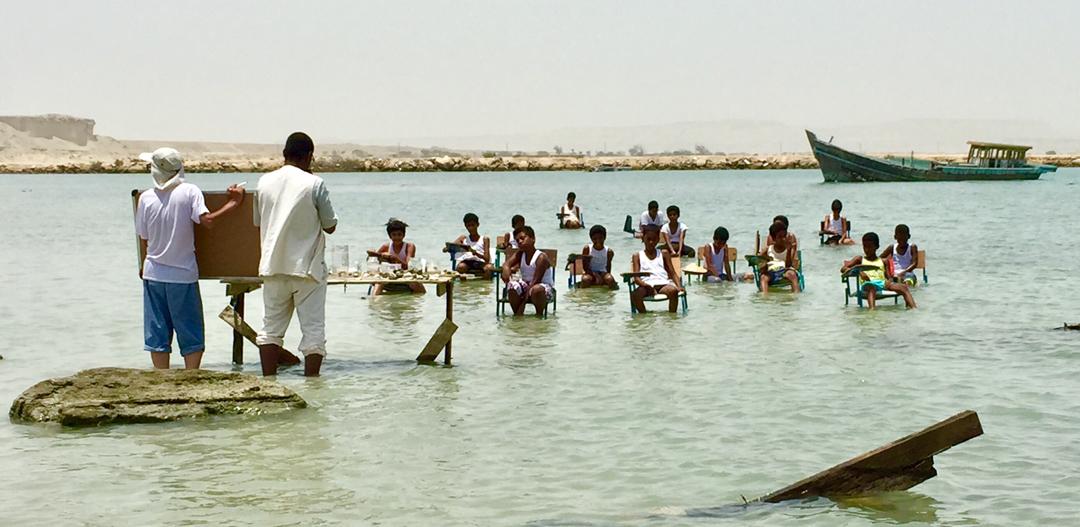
{"x": 237, "y": 288}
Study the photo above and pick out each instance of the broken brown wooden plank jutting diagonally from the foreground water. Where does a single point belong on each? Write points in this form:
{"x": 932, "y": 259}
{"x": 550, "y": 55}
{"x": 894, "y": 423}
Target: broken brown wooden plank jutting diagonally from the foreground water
{"x": 898, "y": 466}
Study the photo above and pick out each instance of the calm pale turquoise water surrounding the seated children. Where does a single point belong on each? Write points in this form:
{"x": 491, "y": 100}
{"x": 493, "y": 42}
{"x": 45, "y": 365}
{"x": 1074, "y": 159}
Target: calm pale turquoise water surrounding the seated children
{"x": 591, "y": 417}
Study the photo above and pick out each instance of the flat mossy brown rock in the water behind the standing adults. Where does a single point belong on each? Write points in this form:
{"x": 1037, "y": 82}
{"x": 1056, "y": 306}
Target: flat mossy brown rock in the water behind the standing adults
{"x": 124, "y": 396}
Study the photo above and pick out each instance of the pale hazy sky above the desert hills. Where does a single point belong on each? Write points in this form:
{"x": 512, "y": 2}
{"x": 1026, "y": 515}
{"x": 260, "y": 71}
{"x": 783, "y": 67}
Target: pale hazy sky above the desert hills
{"x": 247, "y": 71}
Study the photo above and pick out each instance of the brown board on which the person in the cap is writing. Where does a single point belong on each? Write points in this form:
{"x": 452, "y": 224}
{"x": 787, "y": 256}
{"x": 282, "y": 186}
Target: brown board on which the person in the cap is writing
{"x": 229, "y": 250}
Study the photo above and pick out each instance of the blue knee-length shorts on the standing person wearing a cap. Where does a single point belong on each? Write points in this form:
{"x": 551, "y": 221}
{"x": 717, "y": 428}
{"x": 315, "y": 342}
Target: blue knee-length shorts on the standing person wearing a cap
{"x": 172, "y": 308}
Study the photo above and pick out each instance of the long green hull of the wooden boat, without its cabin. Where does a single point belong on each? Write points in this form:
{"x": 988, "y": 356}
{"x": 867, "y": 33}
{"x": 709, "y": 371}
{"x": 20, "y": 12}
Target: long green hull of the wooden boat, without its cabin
{"x": 841, "y": 166}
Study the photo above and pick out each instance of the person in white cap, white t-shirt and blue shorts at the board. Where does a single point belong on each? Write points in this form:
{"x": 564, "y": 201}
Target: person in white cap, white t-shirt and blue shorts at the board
{"x": 165, "y": 221}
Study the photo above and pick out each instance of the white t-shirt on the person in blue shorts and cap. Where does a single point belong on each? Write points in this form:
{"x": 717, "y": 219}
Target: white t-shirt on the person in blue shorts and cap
{"x": 167, "y": 221}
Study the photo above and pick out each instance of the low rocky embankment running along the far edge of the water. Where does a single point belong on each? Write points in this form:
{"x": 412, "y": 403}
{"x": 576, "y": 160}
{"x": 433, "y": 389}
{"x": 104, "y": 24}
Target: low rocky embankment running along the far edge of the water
{"x": 463, "y": 164}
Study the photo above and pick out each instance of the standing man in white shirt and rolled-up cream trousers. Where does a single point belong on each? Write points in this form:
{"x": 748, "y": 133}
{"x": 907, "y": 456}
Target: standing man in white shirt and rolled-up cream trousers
{"x": 293, "y": 214}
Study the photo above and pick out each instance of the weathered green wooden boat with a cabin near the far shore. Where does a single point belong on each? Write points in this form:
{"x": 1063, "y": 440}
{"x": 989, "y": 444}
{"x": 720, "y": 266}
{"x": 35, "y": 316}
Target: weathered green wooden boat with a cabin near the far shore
{"x": 987, "y": 163}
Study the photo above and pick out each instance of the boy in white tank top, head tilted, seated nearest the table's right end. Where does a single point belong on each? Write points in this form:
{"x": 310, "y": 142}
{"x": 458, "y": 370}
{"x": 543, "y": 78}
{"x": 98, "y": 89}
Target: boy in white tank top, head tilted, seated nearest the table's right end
{"x": 537, "y": 283}
